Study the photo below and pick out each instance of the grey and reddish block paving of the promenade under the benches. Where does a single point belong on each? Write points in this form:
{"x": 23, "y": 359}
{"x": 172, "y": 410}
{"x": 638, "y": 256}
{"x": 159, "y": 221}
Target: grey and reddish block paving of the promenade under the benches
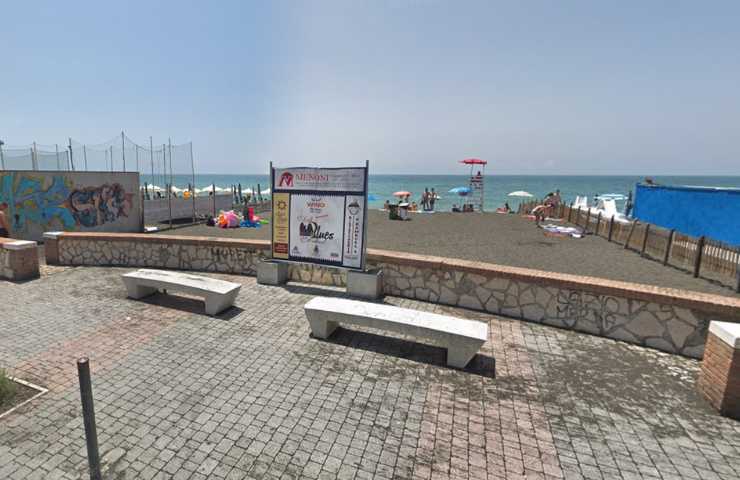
{"x": 249, "y": 394}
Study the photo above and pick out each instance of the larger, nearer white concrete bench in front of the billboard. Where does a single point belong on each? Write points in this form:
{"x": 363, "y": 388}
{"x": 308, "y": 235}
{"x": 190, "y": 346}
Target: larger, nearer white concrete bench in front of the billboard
{"x": 462, "y": 338}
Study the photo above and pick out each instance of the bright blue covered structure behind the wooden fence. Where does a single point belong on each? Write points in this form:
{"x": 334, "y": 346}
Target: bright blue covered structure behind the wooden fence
{"x": 695, "y": 211}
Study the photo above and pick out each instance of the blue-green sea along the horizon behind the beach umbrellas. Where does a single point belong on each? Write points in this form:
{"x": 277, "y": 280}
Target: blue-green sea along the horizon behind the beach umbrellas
{"x": 496, "y": 187}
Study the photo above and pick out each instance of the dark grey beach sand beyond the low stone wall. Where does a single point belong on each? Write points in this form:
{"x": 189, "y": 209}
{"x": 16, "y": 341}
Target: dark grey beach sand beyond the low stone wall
{"x": 504, "y": 240}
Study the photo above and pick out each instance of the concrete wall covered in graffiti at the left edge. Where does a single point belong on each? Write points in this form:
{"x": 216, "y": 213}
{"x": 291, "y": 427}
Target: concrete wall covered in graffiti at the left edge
{"x": 39, "y": 202}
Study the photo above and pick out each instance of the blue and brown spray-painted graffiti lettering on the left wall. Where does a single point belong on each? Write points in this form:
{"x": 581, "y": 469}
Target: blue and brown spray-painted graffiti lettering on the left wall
{"x": 54, "y": 202}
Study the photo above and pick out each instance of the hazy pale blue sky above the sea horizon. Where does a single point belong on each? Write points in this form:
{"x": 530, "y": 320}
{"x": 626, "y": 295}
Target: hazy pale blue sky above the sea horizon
{"x": 534, "y": 87}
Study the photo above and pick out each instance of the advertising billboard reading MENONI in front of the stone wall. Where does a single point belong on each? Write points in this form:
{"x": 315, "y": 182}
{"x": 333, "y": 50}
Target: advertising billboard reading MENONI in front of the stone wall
{"x": 320, "y": 215}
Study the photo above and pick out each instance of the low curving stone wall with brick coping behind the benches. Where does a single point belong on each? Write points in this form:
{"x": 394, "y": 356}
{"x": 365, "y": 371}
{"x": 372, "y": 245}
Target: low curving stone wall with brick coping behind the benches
{"x": 671, "y": 320}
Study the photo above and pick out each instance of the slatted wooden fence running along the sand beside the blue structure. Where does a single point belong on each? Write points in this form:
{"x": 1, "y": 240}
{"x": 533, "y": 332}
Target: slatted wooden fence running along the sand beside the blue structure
{"x": 697, "y": 255}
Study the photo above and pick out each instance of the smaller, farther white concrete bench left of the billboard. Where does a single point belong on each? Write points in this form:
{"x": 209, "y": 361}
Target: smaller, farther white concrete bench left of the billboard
{"x": 219, "y": 294}
